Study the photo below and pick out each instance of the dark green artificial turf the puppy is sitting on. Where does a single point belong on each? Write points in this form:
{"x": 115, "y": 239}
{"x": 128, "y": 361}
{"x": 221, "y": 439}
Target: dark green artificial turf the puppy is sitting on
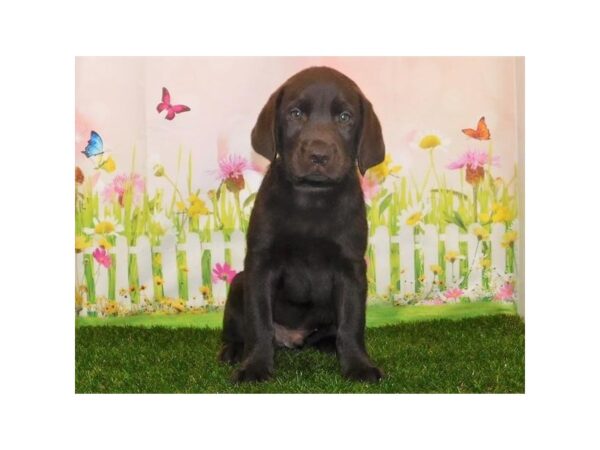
{"x": 482, "y": 354}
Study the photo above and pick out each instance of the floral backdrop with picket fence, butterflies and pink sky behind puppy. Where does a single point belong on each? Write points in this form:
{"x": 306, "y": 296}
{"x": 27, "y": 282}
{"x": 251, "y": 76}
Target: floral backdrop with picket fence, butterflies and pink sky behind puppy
{"x": 165, "y": 178}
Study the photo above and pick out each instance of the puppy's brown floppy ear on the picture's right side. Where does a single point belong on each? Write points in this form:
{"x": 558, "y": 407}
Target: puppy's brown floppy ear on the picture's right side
{"x": 371, "y": 149}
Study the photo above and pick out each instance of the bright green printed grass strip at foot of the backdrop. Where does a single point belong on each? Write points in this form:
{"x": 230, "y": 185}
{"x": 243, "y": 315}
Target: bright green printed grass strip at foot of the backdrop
{"x": 377, "y": 315}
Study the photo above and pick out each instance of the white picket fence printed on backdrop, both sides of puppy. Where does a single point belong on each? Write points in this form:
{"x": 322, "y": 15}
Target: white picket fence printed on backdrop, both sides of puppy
{"x": 381, "y": 242}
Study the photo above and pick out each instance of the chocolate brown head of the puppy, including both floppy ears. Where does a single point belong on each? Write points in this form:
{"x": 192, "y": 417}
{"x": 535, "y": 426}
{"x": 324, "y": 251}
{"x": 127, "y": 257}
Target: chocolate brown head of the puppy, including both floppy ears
{"x": 321, "y": 125}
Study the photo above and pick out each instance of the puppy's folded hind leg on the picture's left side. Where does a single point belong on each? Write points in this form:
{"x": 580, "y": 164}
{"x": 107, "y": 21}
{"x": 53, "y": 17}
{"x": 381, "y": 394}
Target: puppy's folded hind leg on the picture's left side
{"x": 233, "y": 319}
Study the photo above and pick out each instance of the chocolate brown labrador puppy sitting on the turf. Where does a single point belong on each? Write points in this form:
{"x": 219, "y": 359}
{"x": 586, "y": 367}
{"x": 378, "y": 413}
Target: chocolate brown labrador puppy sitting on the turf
{"x": 304, "y": 280}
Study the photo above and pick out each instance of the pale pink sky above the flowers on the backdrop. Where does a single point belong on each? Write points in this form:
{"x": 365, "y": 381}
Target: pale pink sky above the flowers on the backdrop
{"x": 117, "y": 97}
